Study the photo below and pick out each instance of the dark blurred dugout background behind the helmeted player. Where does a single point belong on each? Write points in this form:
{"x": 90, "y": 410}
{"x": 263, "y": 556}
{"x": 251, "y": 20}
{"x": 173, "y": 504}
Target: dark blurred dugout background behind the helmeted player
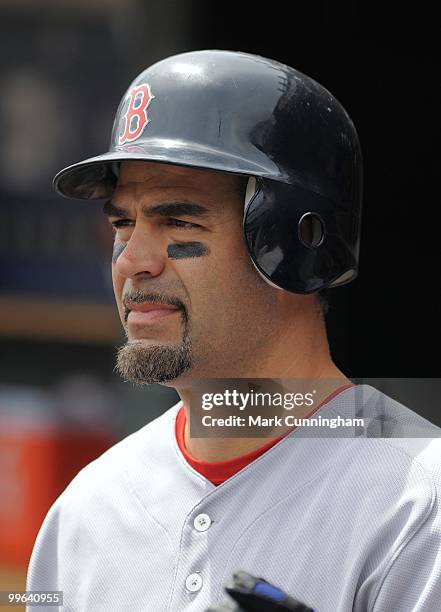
{"x": 64, "y": 66}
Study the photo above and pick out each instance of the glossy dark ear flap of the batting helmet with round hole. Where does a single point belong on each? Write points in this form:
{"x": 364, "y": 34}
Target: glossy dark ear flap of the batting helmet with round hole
{"x": 294, "y": 238}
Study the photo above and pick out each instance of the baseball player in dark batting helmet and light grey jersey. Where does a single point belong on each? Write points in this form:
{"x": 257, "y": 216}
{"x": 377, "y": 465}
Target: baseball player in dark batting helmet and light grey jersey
{"x": 233, "y": 185}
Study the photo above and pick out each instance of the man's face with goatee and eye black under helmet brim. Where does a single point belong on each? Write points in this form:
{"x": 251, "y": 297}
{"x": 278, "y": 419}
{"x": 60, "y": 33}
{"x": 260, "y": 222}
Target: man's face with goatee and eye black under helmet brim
{"x": 190, "y": 301}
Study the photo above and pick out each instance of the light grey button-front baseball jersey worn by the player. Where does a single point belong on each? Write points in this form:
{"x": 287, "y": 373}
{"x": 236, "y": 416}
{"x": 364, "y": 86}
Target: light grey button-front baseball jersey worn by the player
{"x": 344, "y": 524}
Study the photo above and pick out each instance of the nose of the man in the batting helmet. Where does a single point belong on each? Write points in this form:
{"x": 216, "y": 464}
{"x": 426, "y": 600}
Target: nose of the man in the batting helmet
{"x": 143, "y": 253}
